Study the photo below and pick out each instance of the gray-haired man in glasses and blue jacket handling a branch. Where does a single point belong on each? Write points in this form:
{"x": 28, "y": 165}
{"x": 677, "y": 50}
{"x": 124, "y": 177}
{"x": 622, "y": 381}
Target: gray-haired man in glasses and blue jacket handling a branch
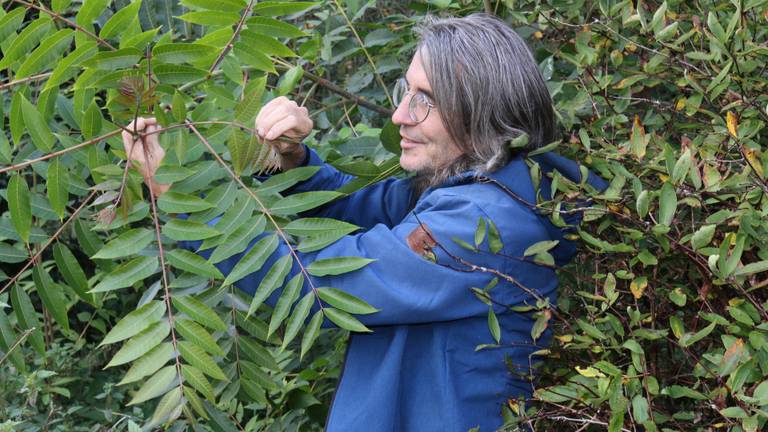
{"x": 471, "y": 88}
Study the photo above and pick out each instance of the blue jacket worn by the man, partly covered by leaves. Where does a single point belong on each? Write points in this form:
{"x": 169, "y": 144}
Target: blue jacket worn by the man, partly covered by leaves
{"x": 419, "y": 370}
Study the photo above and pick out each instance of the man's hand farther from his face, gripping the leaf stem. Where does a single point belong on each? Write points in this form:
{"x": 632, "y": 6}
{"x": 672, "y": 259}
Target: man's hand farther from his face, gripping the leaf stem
{"x": 145, "y": 153}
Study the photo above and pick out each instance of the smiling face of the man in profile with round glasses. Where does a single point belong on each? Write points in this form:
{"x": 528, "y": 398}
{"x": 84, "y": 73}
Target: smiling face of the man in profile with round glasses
{"x": 426, "y": 146}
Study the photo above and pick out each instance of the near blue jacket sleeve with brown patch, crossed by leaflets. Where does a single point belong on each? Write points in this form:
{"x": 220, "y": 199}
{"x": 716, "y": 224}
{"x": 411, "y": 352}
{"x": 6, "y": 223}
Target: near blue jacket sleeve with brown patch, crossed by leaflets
{"x": 408, "y": 288}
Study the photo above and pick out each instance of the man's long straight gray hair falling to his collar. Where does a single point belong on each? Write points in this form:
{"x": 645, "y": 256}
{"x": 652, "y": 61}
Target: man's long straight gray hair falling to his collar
{"x": 487, "y": 88}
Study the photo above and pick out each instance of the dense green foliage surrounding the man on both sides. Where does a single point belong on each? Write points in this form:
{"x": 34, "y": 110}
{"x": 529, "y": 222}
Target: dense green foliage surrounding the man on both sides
{"x": 661, "y": 322}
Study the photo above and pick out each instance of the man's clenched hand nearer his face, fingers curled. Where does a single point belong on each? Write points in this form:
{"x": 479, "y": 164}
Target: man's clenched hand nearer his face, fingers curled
{"x": 283, "y": 117}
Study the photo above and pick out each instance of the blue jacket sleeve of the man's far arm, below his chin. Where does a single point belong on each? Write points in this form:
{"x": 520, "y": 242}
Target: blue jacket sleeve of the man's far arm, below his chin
{"x": 384, "y": 202}
